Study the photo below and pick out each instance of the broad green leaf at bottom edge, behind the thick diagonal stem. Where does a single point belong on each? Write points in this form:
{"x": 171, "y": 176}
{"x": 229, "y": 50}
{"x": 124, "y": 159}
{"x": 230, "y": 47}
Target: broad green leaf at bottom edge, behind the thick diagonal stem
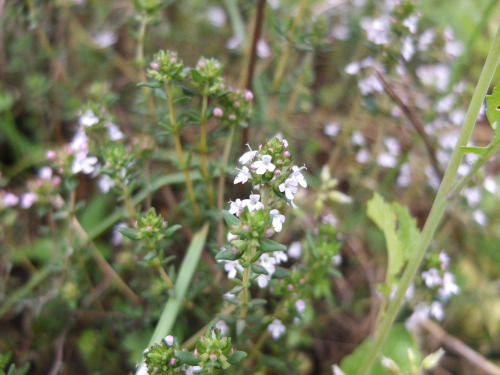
{"x": 396, "y": 347}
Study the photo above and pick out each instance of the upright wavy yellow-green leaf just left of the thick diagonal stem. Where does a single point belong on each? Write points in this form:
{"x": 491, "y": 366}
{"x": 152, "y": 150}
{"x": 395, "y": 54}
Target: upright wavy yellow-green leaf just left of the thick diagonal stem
{"x": 384, "y": 217}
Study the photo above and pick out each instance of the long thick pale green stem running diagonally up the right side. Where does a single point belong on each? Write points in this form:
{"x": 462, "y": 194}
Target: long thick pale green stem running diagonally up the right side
{"x": 438, "y": 207}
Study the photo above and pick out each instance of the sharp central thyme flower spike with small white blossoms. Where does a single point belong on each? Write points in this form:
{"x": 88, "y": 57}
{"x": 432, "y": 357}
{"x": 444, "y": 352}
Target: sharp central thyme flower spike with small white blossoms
{"x": 252, "y": 221}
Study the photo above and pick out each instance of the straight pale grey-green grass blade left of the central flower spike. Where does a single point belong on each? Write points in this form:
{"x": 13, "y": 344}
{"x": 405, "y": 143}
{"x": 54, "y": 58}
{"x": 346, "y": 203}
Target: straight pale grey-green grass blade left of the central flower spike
{"x": 186, "y": 272}
